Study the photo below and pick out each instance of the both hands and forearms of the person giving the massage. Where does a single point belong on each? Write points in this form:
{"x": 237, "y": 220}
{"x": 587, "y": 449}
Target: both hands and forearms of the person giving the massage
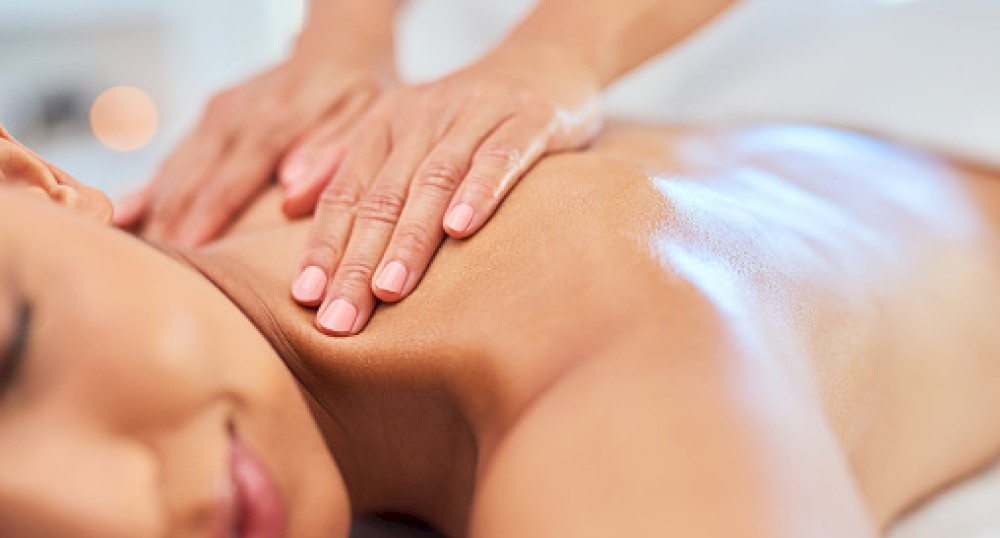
{"x": 391, "y": 171}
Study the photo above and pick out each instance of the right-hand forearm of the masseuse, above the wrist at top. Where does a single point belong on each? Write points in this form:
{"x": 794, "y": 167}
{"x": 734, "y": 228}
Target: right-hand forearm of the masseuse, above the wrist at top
{"x": 612, "y": 37}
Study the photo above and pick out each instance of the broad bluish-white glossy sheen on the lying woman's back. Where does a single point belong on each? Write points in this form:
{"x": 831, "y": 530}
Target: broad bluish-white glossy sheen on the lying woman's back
{"x": 760, "y": 226}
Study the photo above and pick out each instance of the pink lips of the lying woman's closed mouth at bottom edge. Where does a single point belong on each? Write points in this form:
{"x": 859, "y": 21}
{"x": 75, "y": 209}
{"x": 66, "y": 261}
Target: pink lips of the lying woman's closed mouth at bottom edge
{"x": 255, "y": 509}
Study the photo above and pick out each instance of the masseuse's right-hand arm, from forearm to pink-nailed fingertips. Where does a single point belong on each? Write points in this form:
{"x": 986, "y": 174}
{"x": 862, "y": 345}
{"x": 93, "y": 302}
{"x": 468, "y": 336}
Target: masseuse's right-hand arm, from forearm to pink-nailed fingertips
{"x": 438, "y": 159}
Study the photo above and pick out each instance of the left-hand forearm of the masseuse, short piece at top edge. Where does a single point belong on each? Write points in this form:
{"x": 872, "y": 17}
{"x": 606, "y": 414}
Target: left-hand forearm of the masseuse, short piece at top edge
{"x": 361, "y": 29}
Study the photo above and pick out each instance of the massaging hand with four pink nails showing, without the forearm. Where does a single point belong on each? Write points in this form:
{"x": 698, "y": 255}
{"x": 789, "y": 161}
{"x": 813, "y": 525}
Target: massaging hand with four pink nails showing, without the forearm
{"x": 430, "y": 160}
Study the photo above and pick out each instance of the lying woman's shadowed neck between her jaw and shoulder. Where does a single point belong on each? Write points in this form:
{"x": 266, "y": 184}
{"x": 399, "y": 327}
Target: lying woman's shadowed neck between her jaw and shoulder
{"x": 395, "y": 428}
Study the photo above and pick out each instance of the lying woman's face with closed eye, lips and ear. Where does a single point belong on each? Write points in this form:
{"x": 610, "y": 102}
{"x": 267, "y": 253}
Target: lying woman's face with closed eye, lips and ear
{"x": 135, "y": 400}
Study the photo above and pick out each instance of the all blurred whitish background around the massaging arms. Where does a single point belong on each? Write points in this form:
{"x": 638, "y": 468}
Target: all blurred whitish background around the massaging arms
{"x": 104, "y": 88}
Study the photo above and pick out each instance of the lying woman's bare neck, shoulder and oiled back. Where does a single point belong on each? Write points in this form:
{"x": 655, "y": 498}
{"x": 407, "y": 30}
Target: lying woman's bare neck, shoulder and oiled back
{"x": 770, "y": 332}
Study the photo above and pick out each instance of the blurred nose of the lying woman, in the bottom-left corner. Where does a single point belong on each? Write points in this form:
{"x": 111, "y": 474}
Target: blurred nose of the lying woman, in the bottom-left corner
{"x": 57, "y": 480}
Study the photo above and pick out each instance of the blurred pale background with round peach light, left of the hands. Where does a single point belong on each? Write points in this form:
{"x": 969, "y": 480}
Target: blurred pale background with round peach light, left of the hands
{"x": 58, "y": 57}
